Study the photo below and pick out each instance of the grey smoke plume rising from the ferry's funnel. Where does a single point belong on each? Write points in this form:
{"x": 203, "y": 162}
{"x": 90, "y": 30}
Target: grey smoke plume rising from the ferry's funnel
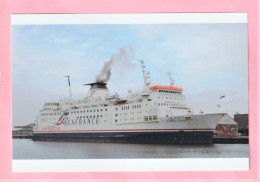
{"x": 123, "y": 57}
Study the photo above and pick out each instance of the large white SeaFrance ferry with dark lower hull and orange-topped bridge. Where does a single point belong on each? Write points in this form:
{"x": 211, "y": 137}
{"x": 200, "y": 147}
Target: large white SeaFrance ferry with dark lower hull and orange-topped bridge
{"x": 156, "y": 114}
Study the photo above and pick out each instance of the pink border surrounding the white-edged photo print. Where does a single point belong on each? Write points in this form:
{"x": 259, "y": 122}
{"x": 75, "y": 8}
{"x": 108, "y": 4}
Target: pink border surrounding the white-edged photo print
{"x": 8, "y": 7}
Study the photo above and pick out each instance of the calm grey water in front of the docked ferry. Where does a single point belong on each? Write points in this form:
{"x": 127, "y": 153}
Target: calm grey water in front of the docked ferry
{"x": 28, "y": 149}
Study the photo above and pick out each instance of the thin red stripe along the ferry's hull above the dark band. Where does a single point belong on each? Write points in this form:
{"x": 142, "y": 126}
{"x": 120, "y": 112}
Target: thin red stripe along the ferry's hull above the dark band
{"x": 134, "y": 130}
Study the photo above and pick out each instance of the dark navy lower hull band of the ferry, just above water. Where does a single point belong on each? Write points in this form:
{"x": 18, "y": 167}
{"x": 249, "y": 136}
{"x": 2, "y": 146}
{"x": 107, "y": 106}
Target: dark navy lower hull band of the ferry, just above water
{"x": 172, "y": 137}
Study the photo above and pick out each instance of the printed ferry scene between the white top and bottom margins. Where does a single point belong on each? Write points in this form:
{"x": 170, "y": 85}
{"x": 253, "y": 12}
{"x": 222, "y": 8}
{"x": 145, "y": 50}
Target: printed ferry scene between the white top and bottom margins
{"x": 128, "y": 91}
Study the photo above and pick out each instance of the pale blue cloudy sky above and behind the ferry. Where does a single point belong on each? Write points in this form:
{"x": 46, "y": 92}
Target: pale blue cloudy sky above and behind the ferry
{"x": 206, "y": 60}
